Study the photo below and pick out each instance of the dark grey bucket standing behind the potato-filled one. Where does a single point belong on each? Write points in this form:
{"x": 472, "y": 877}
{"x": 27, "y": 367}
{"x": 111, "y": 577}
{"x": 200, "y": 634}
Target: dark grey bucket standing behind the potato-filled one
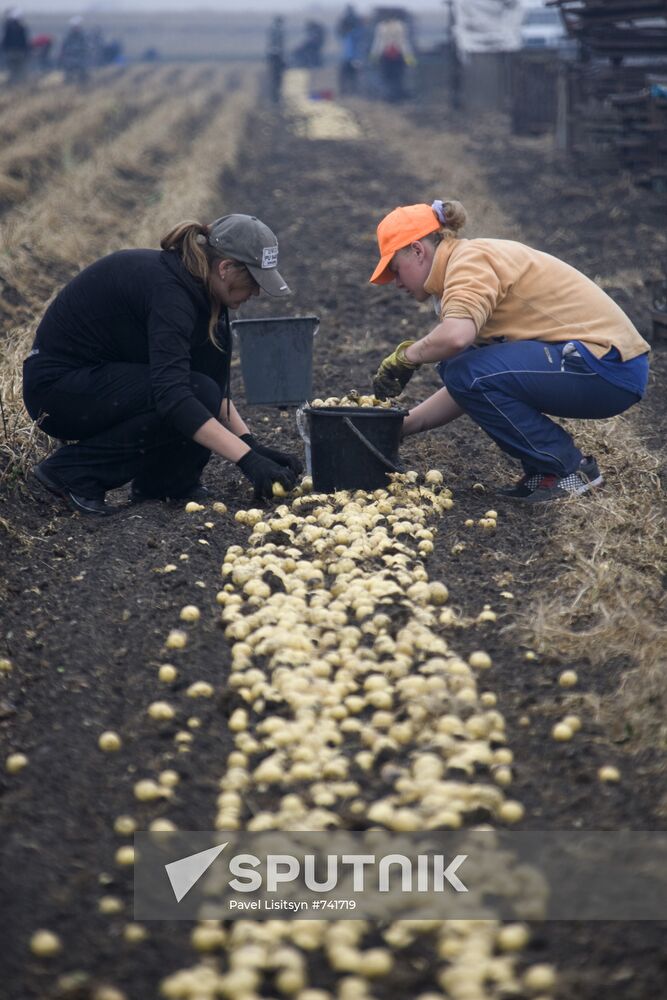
{"x": 277, "y": 358}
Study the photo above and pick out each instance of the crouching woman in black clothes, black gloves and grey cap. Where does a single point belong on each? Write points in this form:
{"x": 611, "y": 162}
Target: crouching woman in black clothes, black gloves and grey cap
{"x": 131, "y": 364}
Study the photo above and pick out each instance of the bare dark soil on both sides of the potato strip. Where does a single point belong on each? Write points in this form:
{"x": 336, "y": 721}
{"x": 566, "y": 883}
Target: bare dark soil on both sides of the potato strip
{"x": 87, "y": 610}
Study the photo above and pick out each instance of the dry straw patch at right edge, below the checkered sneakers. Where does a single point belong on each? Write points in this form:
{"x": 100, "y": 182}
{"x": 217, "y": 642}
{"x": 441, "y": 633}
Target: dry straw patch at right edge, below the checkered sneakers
{"x": 607, "y": 557}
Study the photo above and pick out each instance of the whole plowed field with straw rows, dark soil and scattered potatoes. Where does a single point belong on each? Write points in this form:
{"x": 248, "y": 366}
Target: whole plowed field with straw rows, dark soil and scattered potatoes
{"x": 88, "y": 607}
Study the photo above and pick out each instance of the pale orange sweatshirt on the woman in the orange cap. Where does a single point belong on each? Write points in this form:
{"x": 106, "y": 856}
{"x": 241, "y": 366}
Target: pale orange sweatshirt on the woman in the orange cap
{"x": 510, "y": 290}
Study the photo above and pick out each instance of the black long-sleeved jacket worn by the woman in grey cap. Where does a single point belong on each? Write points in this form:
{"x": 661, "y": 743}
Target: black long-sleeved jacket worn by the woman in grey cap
{"x": 144, "y": 307}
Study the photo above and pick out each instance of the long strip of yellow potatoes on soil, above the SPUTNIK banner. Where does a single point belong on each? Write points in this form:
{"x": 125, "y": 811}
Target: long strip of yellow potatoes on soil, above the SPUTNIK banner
{"x": 330, "y": 612}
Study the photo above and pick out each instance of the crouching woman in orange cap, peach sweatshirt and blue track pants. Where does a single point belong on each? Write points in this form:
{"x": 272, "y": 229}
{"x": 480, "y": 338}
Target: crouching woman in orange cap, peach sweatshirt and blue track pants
{"x": 521, "y": 335}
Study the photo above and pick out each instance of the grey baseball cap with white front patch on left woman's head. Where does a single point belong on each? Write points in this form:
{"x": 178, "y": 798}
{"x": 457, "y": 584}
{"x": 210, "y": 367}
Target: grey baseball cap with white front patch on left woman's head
{"x": 246, "y": 239}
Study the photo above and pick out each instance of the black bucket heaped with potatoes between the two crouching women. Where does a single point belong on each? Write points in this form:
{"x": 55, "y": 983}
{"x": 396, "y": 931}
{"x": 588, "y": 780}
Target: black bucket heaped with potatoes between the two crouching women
{"x": 353, "y": 448}
